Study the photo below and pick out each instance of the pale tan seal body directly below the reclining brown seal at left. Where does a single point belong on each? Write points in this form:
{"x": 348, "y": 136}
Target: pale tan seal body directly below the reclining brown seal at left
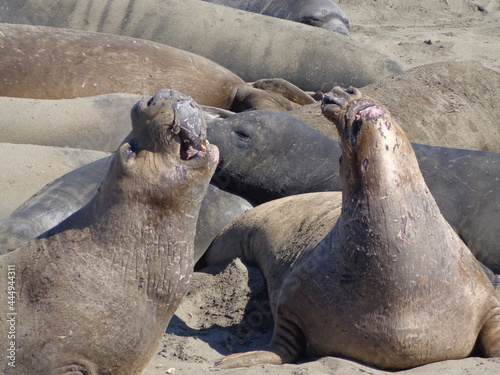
{"x": 93, "y": 123}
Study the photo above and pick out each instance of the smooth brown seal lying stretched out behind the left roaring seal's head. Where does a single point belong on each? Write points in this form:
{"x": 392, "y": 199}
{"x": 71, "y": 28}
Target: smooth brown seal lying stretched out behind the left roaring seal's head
{"x": 70, "y": 64}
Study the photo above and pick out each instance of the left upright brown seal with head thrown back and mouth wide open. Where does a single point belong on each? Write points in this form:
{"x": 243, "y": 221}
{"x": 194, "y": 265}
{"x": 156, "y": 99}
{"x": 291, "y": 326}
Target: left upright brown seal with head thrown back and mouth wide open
{"x": 95, "y": 294}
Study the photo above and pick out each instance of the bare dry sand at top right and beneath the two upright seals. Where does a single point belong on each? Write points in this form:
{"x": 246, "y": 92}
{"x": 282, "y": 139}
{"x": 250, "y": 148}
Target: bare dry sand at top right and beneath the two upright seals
{"x": 228, "y": 312}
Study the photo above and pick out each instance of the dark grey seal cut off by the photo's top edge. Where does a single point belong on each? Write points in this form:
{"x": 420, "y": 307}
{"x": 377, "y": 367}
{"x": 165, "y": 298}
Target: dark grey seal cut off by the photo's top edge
{"x": 320, "y": 13}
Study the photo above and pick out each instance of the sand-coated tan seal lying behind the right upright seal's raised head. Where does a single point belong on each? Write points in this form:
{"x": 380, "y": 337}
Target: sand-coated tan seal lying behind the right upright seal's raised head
{"x": 427, "y": 99}
